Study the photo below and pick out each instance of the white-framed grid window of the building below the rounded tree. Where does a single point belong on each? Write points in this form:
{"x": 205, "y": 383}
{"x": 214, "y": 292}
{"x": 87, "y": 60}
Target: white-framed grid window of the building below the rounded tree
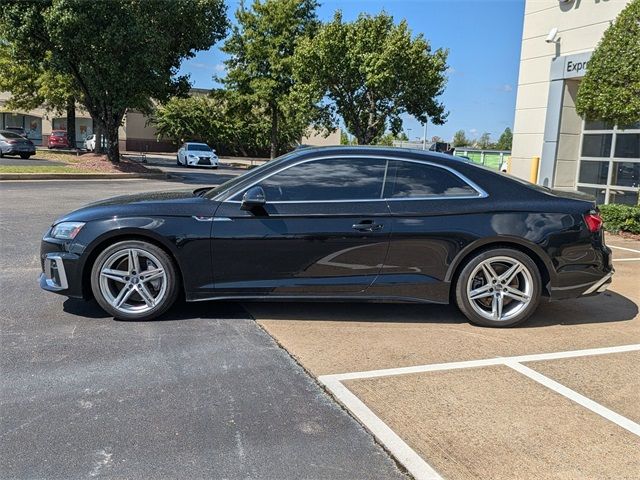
{"x": 610, "y": 162}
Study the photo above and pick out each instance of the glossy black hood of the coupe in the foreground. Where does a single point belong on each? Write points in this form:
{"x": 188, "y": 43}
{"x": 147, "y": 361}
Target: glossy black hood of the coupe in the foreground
{"x": 171, "y": 204}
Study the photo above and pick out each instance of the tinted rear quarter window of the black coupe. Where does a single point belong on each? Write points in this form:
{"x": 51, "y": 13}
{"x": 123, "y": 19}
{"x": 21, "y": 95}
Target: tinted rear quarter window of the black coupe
{"x": 410, "y": 180}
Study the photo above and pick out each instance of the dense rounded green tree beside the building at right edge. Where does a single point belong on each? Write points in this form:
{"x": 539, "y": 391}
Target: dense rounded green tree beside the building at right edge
{"x": 610, "y": 90}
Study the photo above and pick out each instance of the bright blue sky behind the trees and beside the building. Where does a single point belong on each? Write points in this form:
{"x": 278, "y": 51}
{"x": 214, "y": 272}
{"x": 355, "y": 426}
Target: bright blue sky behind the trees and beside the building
{"x": 483, "y": 38}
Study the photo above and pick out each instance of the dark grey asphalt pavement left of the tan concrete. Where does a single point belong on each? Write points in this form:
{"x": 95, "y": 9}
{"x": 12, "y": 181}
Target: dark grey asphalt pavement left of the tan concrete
{"x": 204, "y": 393}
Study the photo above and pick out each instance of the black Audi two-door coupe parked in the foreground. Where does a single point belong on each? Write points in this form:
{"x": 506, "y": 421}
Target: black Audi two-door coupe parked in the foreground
{"x": 336, "y": 223}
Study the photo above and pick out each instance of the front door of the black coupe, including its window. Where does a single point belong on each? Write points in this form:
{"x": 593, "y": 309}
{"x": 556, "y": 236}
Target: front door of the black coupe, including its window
{"x": 324, "y": 230}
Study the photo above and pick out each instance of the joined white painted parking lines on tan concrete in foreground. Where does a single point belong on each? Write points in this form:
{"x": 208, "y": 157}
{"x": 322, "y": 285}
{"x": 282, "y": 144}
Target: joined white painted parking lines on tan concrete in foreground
{"x": 415, "y": 464}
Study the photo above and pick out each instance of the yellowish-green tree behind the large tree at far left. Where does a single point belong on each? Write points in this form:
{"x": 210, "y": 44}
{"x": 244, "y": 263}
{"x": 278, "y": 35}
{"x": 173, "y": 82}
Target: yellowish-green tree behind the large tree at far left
{"x": 32, "y": 86}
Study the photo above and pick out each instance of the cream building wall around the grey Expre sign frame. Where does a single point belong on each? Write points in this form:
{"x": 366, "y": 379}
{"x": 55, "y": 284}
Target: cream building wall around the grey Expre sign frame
{"x": 580, "y": 24}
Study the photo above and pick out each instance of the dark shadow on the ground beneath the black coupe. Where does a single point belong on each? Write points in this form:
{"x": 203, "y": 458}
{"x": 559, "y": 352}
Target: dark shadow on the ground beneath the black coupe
{"x": 606, "y": 308}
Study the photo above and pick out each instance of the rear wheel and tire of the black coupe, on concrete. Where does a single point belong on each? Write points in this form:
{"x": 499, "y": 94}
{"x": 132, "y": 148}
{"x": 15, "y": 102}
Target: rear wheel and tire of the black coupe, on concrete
{"x": 490, "y": 294}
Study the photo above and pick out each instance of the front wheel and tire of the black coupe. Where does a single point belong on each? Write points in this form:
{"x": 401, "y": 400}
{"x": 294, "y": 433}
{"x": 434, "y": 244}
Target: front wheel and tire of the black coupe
{"x": 120, "y": 289}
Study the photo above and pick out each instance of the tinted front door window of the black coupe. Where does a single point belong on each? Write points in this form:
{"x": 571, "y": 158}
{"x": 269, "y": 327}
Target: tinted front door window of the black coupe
{"x": 332, "y": 179}
